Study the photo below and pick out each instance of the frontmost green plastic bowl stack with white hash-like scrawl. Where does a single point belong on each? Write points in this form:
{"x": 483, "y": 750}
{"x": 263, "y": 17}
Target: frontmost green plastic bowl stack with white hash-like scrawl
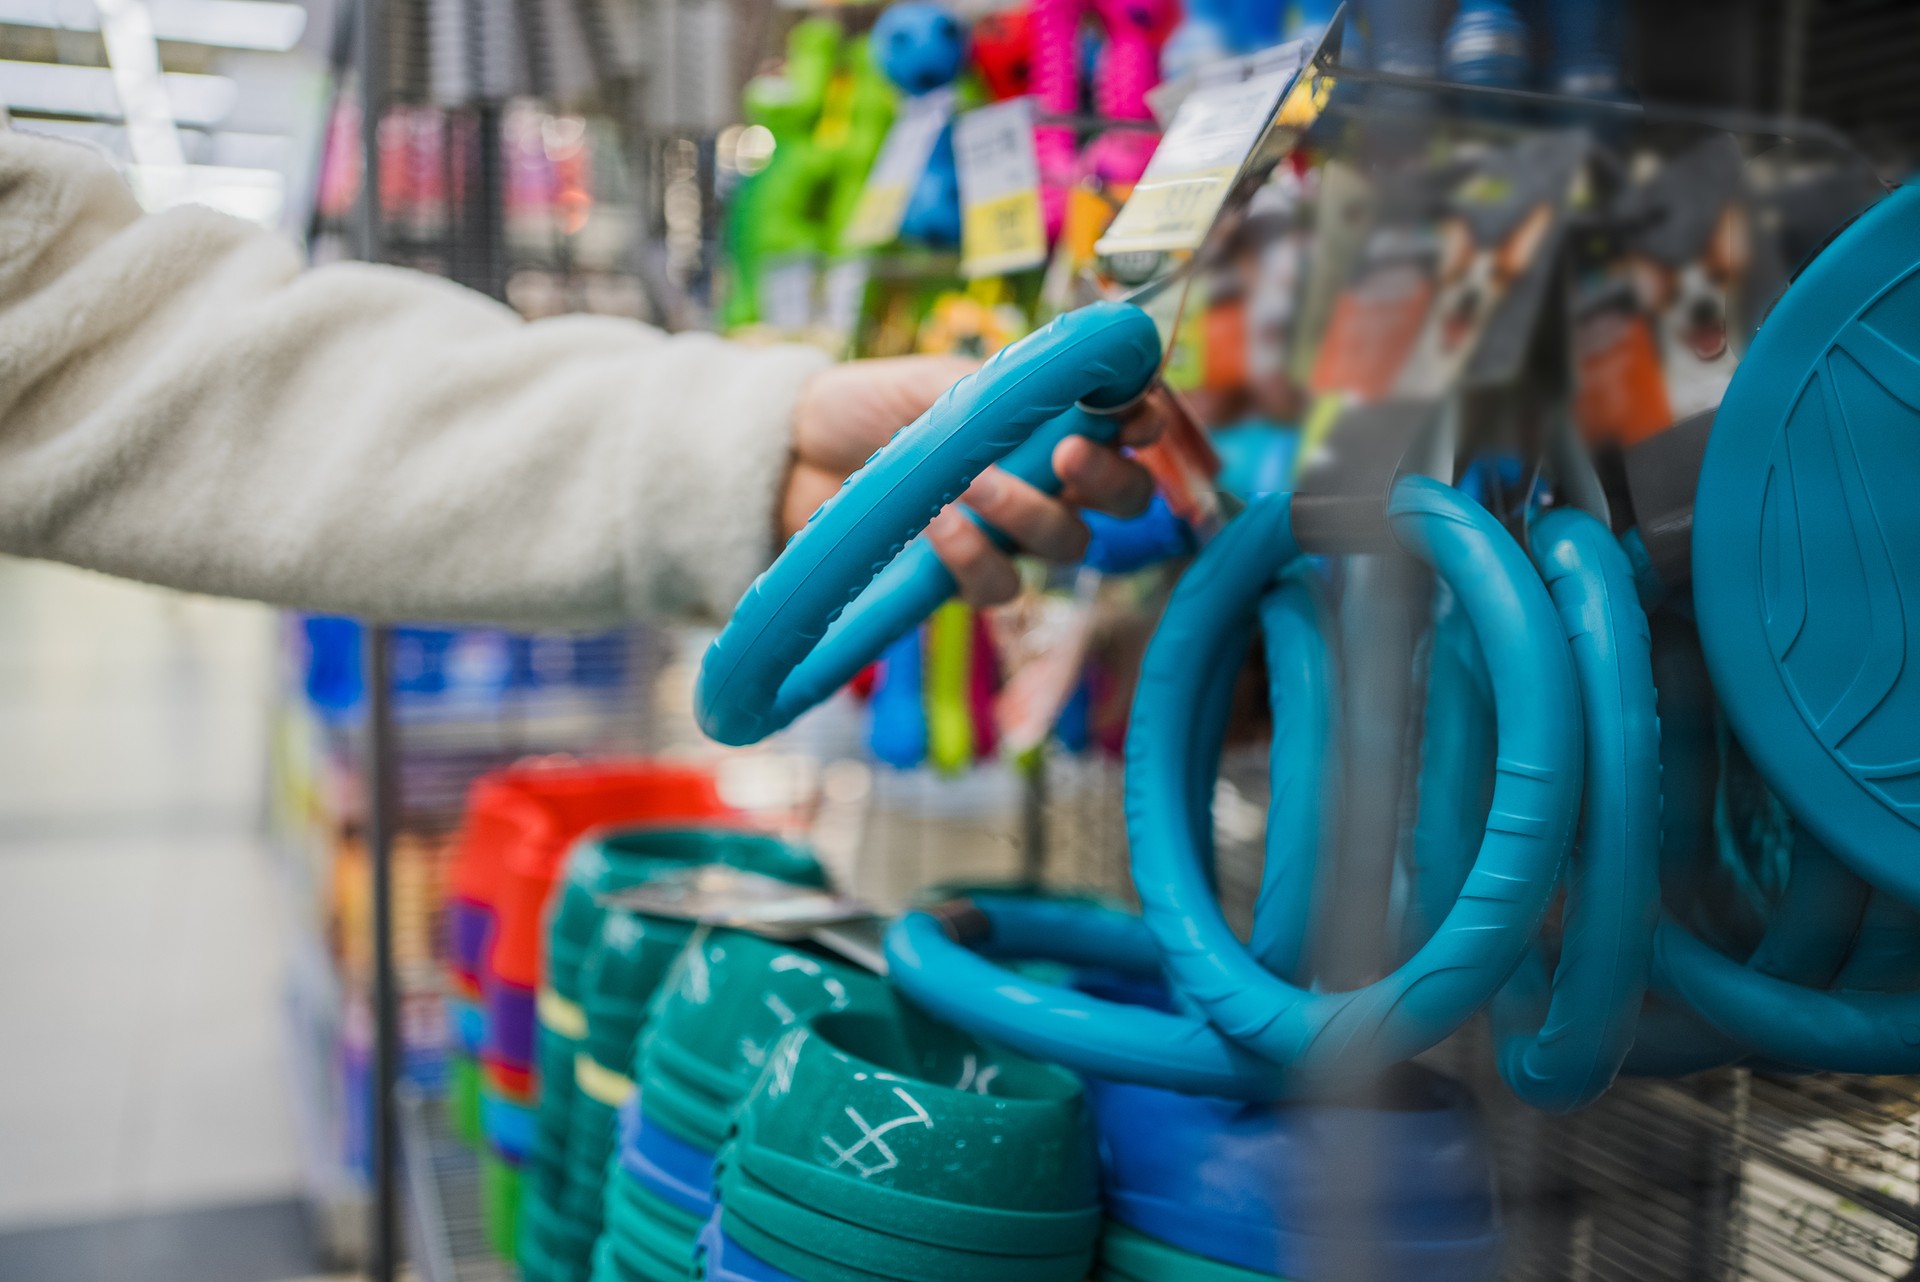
{"x": 882, "y": 1147}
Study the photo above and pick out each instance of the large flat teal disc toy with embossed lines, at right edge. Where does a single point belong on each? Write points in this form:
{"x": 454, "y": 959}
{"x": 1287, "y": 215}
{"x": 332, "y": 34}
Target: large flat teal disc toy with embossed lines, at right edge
{"x": 1808, "y": 548}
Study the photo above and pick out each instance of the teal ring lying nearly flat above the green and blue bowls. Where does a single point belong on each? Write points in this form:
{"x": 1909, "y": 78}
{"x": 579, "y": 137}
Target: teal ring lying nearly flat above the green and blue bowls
{"x": 1063, "y": 1026}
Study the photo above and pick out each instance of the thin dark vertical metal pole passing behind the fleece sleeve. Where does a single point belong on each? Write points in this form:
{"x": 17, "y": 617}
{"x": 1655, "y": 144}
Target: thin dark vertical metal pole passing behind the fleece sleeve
{"x": 383, "y": 1239}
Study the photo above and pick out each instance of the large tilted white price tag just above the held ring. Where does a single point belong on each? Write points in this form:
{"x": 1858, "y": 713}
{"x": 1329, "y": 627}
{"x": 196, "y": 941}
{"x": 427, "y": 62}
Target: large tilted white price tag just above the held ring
{"x": 1203, "y": 153}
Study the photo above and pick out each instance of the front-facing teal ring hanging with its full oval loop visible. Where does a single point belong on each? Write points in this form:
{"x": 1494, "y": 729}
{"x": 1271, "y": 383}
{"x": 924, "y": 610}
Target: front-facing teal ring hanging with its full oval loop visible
{"x": 1333, "y": 1037}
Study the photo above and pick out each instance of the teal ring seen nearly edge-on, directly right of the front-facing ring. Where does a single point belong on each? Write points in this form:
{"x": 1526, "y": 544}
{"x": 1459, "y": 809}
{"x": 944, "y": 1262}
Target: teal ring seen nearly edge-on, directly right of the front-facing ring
{"x": 1560, "y": 1045}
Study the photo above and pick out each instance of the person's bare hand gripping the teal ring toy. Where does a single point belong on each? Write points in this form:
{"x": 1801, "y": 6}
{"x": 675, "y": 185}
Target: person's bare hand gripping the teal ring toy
{"x": 850, "y": 412}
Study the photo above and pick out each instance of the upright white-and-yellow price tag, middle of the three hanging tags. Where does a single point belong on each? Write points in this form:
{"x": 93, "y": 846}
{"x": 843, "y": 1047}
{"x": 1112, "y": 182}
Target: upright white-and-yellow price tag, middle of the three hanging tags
{"x": 1001, "y": 226}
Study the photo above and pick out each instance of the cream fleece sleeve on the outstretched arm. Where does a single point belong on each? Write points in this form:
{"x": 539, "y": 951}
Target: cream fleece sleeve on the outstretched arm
{"x": 183, "y": 404}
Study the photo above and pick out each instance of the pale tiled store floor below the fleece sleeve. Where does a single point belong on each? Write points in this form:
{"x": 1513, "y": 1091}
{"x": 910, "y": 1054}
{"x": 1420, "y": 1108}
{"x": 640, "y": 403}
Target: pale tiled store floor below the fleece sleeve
{"x": 145, "y": 1120}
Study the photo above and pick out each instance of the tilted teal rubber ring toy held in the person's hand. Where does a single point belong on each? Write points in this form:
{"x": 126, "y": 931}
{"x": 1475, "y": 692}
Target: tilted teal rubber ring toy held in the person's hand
{"x": 844, "y": 590}
